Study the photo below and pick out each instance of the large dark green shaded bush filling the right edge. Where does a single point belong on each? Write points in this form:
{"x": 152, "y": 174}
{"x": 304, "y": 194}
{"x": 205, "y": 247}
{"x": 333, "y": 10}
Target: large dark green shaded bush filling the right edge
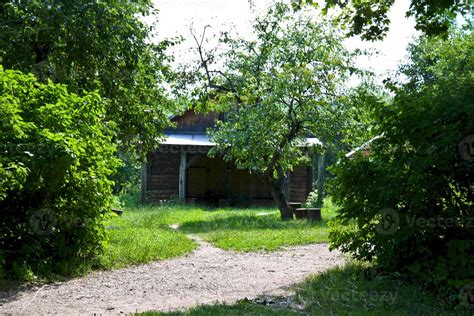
{"x": 409, "y": 206}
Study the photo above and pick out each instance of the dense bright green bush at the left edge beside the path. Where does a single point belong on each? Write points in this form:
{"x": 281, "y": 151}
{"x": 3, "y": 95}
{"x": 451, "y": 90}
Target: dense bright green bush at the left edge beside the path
{"x": 55, "y": 159}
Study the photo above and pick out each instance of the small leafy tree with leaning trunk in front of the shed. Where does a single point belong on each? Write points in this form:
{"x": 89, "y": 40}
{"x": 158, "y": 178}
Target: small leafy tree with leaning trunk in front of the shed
{"x": 278, "y": 89}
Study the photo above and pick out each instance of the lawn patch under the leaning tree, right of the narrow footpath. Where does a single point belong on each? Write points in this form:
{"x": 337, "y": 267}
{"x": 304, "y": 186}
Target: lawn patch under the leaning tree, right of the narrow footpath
{"x": 247, "y": 230}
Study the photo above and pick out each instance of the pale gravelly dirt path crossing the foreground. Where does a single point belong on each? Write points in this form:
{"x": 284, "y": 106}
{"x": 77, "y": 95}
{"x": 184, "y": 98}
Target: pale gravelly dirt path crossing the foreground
{"x": 205, "y": 276}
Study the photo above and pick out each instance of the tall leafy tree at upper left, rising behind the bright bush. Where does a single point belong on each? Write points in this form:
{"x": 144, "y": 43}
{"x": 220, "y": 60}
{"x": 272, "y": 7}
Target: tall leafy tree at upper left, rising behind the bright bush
{"x": 94, "y": 45}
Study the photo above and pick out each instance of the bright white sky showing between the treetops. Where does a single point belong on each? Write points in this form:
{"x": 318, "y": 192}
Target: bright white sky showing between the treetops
{"x": 176, "y": 16}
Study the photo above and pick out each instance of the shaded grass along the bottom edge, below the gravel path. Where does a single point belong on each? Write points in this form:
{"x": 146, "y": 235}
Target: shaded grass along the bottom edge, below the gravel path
{"x": 351, "y": 290}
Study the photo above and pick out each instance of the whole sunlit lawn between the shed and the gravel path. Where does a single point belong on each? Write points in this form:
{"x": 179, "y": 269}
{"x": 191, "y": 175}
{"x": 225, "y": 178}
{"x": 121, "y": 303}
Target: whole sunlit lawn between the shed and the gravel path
{"x": 142, "y": 234}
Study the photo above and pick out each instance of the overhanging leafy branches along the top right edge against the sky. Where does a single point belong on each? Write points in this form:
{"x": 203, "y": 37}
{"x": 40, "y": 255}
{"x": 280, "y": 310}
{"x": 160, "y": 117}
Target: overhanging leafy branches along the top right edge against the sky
{"x": 369, "y": 18}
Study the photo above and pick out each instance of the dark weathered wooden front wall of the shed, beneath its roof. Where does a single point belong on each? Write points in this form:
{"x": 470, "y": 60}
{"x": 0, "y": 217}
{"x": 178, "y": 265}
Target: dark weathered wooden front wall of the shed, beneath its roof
{"x": 212, "y": 179}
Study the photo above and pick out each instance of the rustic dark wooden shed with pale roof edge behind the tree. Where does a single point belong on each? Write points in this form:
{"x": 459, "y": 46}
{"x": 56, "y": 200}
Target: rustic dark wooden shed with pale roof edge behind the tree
{"x": 180, "y": 169}
